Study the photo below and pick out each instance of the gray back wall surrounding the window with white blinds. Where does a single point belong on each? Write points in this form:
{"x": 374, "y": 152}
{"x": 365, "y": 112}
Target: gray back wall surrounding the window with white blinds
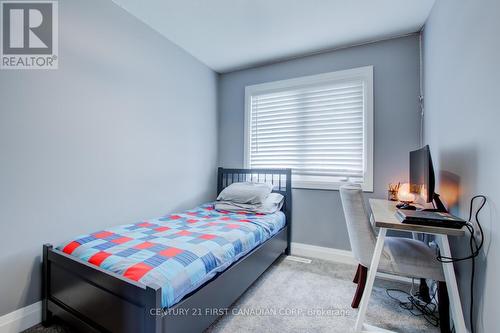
{"x": 318, "y": 218}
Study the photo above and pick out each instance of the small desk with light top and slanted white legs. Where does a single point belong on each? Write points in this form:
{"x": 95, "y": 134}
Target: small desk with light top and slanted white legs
{"x": 383, "y": 215}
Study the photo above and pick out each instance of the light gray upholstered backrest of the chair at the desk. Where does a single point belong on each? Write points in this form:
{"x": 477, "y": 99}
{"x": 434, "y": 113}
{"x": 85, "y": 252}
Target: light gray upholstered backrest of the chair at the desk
{"x": 360, "y": 230}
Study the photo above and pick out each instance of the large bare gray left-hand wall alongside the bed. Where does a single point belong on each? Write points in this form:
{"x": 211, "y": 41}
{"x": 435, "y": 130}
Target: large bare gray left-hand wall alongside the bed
{"x": 125, "y": 129}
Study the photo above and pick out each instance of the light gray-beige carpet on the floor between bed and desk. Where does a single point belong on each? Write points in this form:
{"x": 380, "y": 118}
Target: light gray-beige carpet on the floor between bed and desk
{"x": 316, "y": 297}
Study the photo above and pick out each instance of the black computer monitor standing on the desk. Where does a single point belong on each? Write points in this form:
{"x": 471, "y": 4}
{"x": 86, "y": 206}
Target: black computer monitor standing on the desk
{"x": 422, "y": 174}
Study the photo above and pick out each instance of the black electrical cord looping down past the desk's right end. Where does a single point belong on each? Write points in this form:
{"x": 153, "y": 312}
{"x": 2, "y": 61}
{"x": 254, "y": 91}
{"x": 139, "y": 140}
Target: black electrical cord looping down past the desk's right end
{"x": 475, "y": 249}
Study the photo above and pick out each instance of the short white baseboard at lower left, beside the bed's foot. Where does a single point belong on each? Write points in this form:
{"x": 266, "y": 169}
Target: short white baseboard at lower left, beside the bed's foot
{"x": 21, "y": 319}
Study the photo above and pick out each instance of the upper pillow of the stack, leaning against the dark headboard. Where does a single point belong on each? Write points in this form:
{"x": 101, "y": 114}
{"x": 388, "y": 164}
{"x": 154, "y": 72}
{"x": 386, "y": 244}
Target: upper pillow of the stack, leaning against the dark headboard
{"x": 246, "y": 192}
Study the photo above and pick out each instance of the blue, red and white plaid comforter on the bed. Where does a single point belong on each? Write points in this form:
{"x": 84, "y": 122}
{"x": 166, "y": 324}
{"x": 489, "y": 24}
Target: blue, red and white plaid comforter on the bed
{"x": 178, "y": 252}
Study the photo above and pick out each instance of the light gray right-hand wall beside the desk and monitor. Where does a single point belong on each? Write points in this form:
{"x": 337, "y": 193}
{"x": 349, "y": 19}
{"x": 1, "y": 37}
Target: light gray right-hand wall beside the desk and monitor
{"x": 461, "y": 71}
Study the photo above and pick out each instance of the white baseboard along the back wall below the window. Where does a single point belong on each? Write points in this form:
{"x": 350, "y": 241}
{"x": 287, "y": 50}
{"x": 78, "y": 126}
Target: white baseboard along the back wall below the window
{"x": 336, "y": 255}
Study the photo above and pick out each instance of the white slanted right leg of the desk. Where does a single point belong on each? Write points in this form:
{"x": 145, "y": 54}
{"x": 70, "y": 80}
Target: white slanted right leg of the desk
{"x": 451, "y": 285}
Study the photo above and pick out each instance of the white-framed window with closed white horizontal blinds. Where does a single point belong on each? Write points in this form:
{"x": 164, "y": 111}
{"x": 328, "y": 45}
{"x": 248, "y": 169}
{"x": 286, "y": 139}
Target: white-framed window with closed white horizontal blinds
{"x": 321, "y": 126}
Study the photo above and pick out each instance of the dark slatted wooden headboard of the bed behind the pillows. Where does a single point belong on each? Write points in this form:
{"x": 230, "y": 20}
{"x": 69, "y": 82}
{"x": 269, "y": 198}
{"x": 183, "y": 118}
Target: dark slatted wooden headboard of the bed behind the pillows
{"x": 280, "y": 178}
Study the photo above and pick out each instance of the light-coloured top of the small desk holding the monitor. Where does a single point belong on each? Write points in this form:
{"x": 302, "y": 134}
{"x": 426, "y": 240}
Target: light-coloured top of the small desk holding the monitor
{"x": 383, "y": 214}
